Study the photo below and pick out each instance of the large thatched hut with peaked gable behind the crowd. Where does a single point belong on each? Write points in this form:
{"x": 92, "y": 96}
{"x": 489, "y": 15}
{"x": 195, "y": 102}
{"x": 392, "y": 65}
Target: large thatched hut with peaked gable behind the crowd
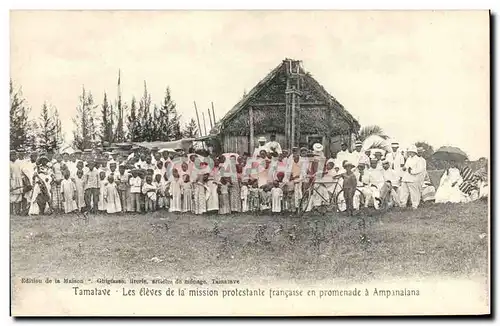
{"x": 290, "y": 103}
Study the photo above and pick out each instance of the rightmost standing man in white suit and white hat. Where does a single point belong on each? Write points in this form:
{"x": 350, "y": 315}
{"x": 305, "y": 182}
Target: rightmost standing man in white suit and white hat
{"x": 410, "y": 180}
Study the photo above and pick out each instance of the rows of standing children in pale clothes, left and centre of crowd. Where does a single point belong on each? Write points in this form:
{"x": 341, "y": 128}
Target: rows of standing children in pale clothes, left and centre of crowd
{"x": 148, "y": 182}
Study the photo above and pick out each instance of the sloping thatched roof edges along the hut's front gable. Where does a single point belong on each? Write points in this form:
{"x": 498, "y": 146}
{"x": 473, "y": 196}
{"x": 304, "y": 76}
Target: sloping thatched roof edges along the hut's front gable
{"x": 328, "y": 98}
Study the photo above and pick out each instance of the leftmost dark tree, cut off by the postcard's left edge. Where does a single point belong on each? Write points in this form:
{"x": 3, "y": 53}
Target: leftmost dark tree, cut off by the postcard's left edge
{"x": 19, "y": 123}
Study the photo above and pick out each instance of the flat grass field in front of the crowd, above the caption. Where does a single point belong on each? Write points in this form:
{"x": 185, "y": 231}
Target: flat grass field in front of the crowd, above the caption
{"x": 436, "y": 240}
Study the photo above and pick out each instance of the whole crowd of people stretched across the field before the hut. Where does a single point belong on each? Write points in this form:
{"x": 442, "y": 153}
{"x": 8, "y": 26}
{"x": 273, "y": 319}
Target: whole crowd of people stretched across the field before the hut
{"x": 271, "y": 179}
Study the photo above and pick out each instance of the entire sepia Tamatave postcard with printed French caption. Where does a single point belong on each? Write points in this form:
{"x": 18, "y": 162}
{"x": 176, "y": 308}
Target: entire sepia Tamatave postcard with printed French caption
{"x": 249, "y": 163}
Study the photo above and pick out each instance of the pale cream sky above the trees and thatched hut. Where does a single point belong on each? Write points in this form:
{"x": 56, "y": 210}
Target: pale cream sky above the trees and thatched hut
{"x": 421, "y": 75}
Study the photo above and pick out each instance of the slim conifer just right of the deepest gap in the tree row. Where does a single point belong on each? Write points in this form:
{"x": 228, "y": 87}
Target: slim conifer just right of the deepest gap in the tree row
{"x": 84, "y": 132}
